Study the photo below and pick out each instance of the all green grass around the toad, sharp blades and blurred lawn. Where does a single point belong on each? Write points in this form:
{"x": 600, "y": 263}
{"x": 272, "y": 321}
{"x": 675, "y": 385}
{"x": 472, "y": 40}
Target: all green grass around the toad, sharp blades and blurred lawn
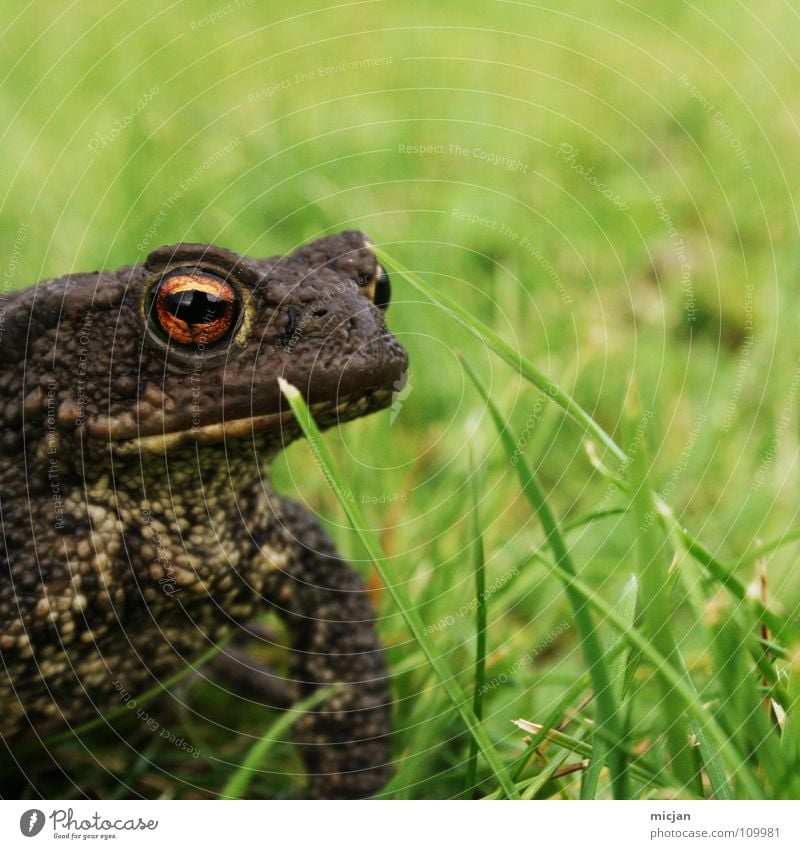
{"x": 557, "y": 298}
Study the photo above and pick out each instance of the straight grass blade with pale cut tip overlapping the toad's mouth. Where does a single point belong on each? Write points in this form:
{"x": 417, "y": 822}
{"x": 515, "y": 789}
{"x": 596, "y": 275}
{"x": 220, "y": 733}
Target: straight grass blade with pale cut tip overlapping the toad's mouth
{"x": 398, "y": 593}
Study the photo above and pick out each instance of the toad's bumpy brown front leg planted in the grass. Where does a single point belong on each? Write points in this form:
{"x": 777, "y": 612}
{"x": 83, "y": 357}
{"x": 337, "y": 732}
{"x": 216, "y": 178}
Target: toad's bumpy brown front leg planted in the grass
{"x": 346, "y": 740}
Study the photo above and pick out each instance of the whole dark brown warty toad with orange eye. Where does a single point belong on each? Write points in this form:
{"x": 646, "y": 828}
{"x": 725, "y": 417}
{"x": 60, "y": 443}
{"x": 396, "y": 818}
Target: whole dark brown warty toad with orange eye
{"x": 139, "y": 410}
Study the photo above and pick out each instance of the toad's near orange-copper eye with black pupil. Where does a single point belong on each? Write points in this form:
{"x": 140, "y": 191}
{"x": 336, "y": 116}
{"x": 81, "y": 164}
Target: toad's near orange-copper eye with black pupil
{"x": 194, "y": 307}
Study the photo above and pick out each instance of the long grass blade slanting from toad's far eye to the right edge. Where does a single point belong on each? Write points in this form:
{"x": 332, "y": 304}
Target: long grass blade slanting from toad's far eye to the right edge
{"x": 532, "y": 374}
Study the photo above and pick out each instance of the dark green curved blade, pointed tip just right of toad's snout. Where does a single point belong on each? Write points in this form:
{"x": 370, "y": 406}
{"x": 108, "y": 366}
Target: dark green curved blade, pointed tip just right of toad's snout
{"x": 594, "y": 654}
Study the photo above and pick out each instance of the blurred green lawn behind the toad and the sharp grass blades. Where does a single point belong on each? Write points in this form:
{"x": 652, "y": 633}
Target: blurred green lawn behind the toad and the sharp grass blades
{"x": 613, "y": 190}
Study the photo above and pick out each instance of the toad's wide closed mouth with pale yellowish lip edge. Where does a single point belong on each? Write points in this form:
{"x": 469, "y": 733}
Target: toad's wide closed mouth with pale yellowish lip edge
{"x": 281, "y": 424}
